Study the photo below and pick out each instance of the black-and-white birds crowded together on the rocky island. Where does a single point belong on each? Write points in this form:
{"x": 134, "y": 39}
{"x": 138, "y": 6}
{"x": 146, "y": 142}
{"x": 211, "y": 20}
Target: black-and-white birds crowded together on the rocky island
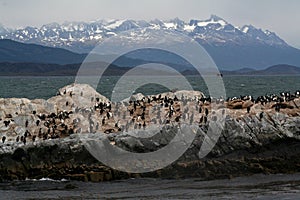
{"x": 112, "y": 117}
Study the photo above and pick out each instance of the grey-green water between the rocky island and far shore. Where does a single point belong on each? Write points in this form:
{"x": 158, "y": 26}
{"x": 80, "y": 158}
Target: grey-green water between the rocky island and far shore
{"x": 46, "y": 87}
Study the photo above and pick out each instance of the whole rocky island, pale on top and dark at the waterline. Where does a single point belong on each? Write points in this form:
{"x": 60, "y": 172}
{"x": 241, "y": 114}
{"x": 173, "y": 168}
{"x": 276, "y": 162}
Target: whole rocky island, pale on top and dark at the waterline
{"x": 46, "y": 138}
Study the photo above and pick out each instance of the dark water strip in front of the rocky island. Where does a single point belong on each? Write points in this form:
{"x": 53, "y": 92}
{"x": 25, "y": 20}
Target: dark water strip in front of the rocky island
{"x": 253, "y": 187}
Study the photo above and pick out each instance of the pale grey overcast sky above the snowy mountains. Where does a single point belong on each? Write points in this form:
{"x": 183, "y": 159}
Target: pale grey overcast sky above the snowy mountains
{"x": 281, "y": 17}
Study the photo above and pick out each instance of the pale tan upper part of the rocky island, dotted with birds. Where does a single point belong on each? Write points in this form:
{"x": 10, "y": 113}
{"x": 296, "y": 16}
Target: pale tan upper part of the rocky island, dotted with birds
{"x": 110, "y": 117}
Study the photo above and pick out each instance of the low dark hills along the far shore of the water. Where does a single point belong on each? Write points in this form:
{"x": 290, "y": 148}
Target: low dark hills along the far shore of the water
{"x": 44, "y": 69}
